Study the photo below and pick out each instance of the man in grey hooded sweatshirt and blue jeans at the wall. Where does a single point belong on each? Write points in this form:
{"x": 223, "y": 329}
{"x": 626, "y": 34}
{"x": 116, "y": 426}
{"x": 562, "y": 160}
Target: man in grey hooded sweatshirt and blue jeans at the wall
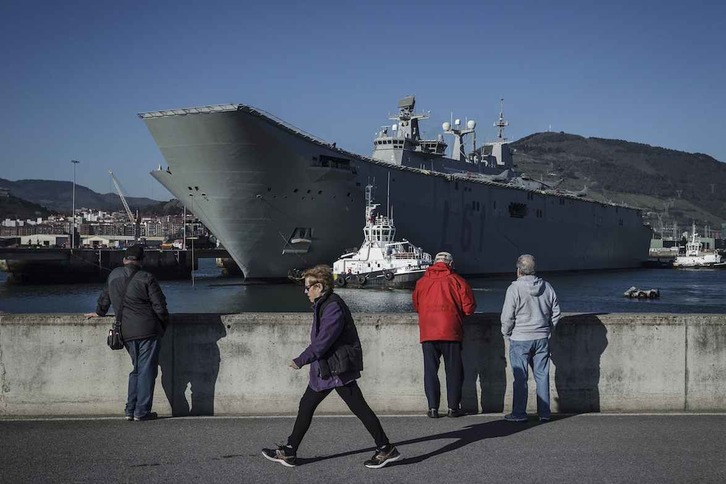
{"x": 529, "y": 314}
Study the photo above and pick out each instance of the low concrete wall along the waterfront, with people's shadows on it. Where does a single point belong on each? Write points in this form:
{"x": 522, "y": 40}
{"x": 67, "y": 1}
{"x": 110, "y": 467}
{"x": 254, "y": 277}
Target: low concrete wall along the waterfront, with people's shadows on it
{"x": 237, "y": 364}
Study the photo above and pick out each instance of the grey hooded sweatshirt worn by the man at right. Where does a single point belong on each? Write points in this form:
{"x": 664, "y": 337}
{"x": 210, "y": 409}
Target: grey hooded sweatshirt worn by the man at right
{"x": 530, "y": 309}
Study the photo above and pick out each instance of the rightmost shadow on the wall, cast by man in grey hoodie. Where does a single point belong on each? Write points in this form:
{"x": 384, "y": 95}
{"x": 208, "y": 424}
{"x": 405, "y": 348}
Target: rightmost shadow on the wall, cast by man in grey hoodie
{"x": 576, "y": 347}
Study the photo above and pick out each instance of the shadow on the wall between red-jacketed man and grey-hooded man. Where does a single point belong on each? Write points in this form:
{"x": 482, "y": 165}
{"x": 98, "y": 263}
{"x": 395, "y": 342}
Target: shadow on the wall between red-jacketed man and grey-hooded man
{"x": 484, "y": 365}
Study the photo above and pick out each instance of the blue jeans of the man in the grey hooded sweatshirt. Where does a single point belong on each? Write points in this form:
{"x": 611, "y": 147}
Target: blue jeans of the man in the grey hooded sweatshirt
{"x": 535, "y": 353}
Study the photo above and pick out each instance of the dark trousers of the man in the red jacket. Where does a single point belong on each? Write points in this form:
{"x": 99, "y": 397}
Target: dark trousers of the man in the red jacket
{"x": 454, "y": 367}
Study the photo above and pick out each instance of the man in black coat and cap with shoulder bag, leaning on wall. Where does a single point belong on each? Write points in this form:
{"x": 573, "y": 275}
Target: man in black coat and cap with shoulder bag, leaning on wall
{"x": 144, "y": 318}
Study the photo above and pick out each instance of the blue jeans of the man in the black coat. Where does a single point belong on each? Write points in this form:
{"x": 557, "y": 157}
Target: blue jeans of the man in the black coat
{"x": 145, "y": 358}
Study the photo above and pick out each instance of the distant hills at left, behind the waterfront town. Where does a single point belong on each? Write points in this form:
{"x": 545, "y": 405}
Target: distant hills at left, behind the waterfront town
{"x": 58, "y": 196}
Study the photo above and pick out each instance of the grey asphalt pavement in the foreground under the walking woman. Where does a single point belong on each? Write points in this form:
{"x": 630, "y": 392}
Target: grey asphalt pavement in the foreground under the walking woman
{"x": 481, "y": 448}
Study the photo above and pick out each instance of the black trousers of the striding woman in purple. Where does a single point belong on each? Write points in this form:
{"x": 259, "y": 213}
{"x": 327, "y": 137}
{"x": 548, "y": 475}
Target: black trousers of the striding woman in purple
{"x": 352, "y": 397}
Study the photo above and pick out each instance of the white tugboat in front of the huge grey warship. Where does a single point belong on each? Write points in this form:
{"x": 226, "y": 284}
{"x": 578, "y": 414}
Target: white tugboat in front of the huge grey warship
{"x": 381, "y": 260}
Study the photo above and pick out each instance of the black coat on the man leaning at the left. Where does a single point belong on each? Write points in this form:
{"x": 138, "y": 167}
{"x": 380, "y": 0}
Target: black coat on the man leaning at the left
{"x": 144, "y": 313}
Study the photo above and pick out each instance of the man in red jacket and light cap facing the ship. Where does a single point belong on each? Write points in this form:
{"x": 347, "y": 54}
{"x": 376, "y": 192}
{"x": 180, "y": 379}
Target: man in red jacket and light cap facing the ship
{"x": 442, "y": 298}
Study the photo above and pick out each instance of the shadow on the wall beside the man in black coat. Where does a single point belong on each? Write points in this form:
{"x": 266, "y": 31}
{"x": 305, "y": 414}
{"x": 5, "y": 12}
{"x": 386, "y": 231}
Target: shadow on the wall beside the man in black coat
{"x": 190, "y": 362}
